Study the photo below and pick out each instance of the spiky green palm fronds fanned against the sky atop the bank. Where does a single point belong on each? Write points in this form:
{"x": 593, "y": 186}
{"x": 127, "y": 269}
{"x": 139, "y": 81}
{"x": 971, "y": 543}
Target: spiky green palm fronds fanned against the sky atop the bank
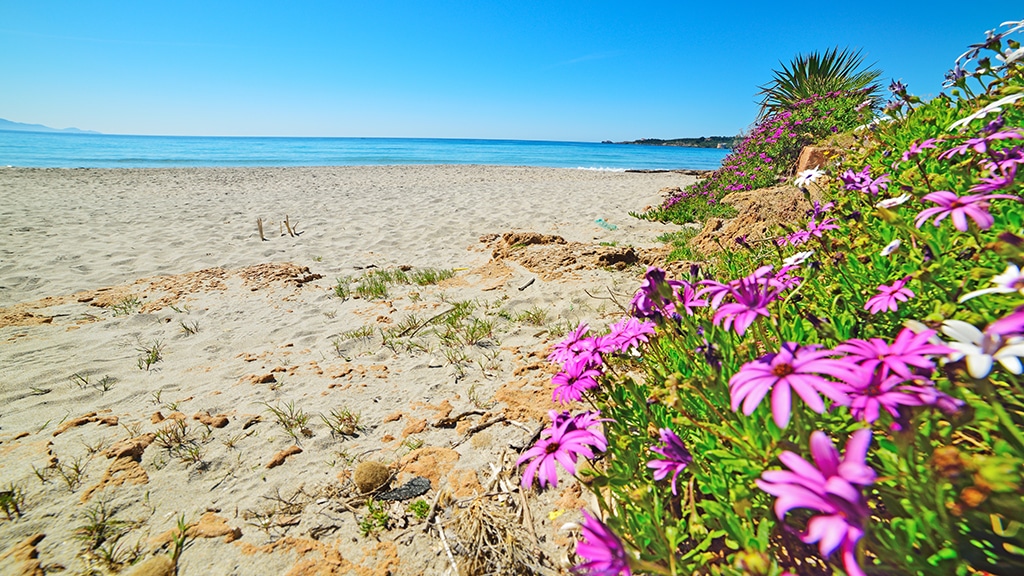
{"x": 817, "y": 74}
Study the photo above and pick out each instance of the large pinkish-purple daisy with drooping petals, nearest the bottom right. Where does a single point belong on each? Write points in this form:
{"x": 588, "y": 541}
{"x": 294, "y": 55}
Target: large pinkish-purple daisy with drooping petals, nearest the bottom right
{"x": 830, "y": 487}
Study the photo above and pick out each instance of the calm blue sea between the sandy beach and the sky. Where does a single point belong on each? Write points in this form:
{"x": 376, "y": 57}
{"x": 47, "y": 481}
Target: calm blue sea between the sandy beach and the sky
{"x": 108, "y": 151}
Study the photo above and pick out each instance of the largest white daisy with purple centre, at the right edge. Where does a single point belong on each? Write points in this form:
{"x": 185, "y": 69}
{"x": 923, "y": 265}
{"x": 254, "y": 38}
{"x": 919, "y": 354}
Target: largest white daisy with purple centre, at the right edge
{"x": 979, "y": 350}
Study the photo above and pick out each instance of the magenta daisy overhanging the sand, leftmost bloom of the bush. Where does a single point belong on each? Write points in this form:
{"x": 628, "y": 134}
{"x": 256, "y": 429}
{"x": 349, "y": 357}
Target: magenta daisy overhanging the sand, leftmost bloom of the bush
{"x": 564, "y": 442}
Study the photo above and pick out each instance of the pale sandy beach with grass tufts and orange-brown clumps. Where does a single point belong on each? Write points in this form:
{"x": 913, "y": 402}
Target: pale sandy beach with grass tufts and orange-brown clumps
{"x": 161, "y": 362}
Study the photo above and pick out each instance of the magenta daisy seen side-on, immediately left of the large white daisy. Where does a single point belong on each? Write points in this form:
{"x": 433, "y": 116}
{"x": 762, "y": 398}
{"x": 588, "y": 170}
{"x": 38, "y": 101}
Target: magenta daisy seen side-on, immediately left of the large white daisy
{"x": 907, "y": 356}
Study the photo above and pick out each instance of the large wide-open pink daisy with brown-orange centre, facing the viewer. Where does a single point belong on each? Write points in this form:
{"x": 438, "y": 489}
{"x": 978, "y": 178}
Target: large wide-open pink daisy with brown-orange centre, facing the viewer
{"x": 793, "y": 368}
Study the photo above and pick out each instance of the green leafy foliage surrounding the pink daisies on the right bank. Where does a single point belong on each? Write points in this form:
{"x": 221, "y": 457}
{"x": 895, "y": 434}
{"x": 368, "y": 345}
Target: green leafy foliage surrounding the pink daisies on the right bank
{"x": 949, "y": 497}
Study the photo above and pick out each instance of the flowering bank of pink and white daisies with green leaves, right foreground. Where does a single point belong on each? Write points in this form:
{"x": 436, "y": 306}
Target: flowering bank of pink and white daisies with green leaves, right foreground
{"x": 846, "y": 402}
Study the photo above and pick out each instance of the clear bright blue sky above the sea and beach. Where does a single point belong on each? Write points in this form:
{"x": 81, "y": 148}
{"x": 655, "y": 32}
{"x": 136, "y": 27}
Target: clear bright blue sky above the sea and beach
{"x": 560, "y": 71}
